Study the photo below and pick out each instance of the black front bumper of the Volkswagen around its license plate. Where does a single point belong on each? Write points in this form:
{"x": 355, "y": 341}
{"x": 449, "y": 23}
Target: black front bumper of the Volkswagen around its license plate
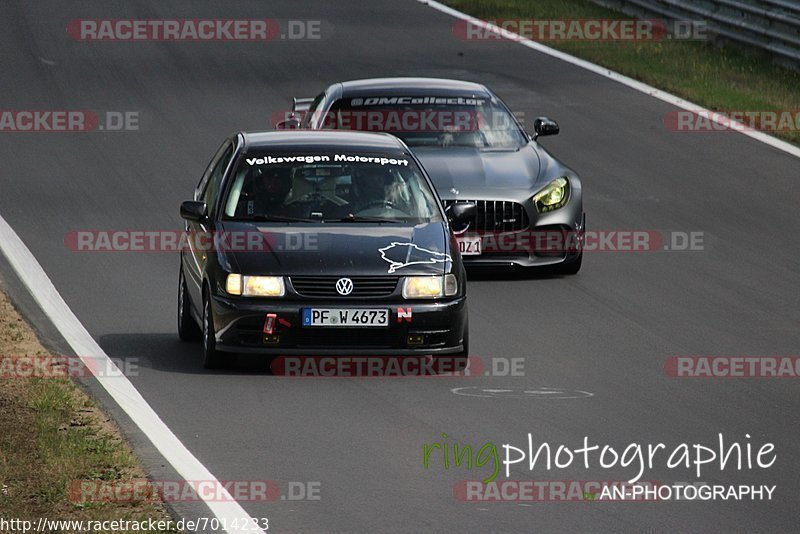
{"x": 432, "y": 327}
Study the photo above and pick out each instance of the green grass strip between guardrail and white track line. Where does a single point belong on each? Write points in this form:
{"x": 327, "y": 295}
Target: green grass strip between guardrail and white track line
{"x": 725, "y": 78}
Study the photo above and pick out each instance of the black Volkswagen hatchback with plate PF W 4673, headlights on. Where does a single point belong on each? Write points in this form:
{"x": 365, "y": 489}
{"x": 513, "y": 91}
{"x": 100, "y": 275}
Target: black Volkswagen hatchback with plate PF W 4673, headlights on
{"x": 354, "y": 253}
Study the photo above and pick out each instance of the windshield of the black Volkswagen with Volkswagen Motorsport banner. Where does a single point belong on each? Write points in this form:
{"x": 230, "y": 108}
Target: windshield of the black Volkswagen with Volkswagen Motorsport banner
{"x": 329, "y": 187}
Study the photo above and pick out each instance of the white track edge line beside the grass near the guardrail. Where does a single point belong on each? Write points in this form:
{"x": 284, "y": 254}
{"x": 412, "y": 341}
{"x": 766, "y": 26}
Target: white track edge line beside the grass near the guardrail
{"x": 617, "y": 77}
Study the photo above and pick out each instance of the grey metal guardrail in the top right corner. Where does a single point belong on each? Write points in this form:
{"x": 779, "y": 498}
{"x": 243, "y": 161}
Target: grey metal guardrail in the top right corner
{"x": 769, "y": 25}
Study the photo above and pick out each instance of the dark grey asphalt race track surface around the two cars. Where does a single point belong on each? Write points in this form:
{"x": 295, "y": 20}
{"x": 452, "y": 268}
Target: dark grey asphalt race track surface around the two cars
{"x": 607, "y": 331}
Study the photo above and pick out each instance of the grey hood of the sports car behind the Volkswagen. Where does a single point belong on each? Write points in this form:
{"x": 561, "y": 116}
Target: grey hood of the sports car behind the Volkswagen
{"x": 479, "y": 174}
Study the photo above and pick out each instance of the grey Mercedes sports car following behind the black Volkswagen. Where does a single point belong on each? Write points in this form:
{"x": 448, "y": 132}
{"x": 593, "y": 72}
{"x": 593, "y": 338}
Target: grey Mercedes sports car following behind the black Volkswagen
{"x": 530, "y": 207}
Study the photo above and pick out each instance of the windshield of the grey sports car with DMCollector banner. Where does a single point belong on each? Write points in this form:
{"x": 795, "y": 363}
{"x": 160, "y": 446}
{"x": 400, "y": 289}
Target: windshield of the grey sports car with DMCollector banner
{"x": 430, "y": 120}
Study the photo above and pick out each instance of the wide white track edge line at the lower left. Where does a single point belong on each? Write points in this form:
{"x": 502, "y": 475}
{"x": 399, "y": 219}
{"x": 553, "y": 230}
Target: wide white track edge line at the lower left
{"x": 117, "y": 385}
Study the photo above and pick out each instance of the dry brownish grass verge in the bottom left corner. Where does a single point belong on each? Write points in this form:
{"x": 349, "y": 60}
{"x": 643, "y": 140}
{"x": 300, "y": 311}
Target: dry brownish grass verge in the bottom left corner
{"x": 51, "y": 434}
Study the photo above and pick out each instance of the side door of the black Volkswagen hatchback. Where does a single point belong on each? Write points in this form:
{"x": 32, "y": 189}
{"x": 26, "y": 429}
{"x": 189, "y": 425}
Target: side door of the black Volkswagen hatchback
{"x": 194, "y": 258}
